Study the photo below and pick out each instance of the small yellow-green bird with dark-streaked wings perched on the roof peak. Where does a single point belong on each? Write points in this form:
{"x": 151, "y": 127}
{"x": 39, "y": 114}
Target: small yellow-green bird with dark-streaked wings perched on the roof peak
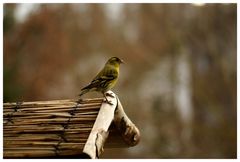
{"x": 105, "y": 79}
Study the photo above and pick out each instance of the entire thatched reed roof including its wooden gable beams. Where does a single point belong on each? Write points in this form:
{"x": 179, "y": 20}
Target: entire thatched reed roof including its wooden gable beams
{"x": 65, "y": 128}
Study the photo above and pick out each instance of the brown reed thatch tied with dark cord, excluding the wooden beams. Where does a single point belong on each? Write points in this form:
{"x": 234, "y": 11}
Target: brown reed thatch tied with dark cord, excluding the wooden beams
{"x": 47, "y": 128}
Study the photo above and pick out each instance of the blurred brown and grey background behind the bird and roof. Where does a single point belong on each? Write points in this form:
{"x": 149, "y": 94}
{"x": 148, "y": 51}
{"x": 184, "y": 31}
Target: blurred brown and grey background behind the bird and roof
{"x": 178, "y": 84}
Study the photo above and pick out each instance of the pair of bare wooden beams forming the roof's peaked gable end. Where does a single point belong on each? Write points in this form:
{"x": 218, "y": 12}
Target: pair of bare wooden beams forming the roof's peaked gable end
{"x": 108, "y": 114}
